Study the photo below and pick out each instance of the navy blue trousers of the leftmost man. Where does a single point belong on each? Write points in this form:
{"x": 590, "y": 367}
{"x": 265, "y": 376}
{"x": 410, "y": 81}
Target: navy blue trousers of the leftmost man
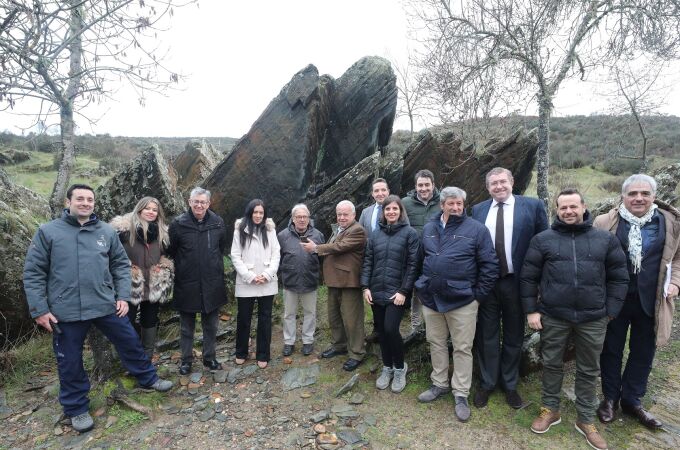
{"x": 74, "y": 384}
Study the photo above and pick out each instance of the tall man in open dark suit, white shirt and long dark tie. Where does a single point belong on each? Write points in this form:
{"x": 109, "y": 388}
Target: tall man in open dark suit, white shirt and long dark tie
{"x": 512, "y": 220}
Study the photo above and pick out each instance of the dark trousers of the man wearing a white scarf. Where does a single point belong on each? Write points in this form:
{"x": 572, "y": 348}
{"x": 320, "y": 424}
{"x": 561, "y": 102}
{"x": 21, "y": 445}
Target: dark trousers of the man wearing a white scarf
{"x": 632, "y": 385}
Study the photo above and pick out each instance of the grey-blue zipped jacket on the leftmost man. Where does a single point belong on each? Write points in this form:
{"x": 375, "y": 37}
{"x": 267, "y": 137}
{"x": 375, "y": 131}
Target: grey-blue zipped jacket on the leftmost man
{"x": 76, "y": 272}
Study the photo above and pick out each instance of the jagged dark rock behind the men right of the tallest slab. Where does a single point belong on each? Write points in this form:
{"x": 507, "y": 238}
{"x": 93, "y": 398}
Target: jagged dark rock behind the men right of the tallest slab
{"x": 456, "y": 165}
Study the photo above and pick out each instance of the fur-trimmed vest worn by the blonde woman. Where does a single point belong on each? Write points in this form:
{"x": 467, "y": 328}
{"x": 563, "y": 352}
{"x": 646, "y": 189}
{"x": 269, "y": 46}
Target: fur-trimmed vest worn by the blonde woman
{"x": 152, "y": 273}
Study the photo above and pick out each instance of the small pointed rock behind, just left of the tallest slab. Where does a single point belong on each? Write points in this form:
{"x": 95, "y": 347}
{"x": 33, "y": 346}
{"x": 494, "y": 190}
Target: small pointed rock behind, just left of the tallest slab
{"x": 194, "y": 164}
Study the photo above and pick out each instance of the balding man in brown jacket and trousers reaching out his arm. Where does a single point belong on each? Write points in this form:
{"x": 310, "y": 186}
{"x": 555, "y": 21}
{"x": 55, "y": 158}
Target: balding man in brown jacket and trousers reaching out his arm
{"x": 341, "y": 266}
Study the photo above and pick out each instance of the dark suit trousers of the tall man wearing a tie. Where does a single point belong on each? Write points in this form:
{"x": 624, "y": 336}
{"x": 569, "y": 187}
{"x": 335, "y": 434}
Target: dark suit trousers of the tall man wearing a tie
{"x": 498, "y": 356}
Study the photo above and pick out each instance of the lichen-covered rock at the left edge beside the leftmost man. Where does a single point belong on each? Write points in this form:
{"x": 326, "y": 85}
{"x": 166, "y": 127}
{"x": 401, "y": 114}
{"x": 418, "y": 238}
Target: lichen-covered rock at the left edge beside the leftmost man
{"x": 21, "y": 212}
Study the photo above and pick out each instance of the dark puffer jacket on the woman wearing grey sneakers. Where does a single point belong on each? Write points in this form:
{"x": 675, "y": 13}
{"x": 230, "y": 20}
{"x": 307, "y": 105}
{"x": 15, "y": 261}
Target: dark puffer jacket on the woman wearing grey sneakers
{"x": 390, "y": 262}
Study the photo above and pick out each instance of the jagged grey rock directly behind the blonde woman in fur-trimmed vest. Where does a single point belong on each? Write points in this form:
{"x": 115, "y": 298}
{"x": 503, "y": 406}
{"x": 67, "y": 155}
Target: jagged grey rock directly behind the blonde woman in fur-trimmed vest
{"x": 148, "y": 174}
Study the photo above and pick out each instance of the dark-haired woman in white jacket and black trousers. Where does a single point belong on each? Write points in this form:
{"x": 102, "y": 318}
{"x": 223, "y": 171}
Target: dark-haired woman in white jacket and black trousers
{"x": 255, "y": 254}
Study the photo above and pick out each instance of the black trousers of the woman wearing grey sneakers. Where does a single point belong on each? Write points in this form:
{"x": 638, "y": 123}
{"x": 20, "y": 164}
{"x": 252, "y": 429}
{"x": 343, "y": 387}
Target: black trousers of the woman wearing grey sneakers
{"x": 387, "y": 319}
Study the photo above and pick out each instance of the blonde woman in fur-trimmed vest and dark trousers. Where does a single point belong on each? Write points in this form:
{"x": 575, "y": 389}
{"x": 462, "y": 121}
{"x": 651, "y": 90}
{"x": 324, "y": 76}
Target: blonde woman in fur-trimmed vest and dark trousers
{"x": 144, "y": 235}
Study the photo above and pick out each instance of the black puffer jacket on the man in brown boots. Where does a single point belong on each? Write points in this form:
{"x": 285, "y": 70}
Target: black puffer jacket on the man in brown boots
{"x": 580, "y": 272}
